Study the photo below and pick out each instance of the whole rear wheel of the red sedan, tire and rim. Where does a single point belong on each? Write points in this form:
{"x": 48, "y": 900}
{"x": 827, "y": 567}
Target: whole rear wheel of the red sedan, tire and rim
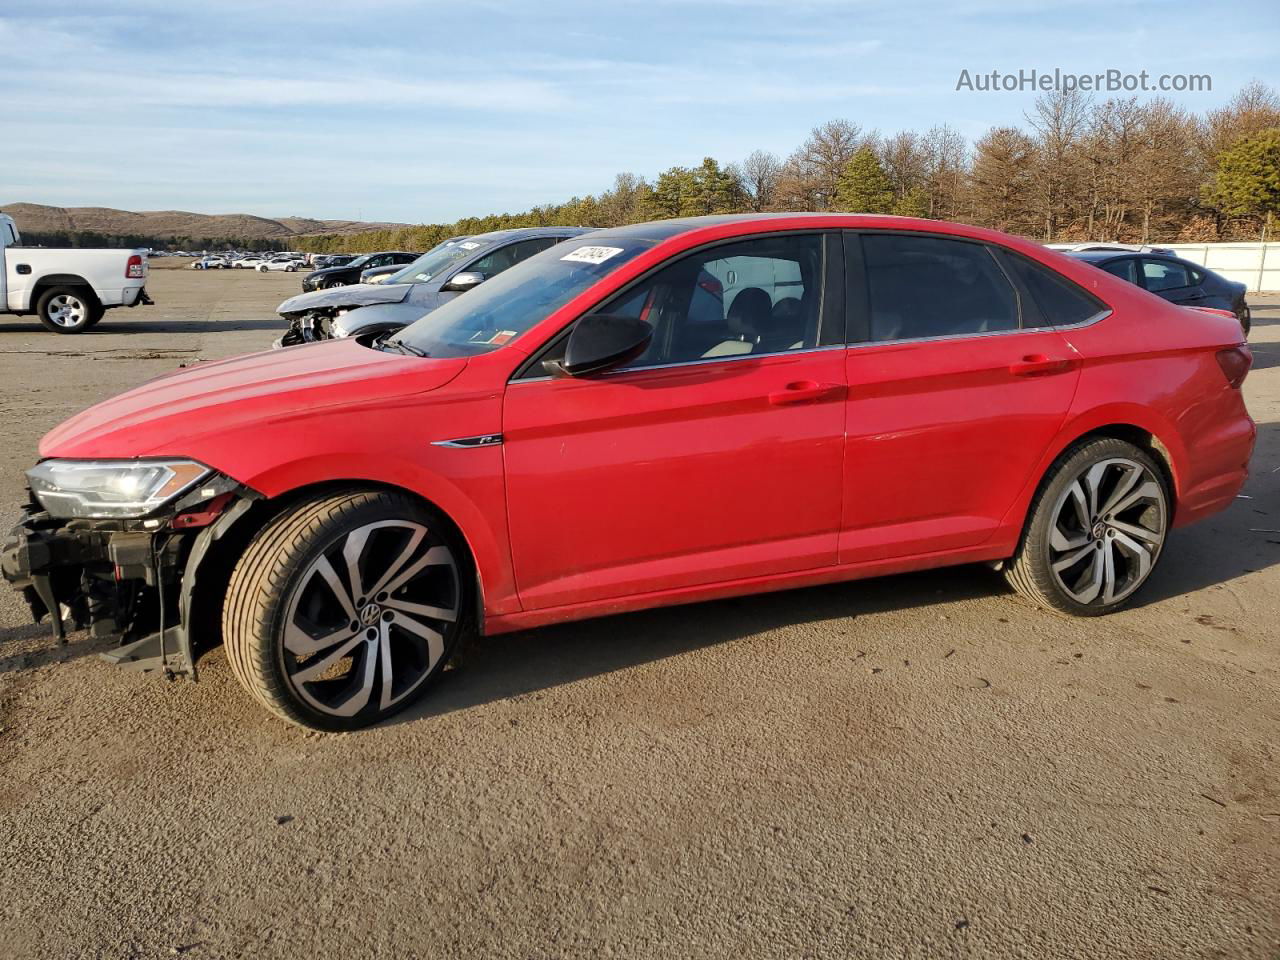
{"x": 1095, "y": 531}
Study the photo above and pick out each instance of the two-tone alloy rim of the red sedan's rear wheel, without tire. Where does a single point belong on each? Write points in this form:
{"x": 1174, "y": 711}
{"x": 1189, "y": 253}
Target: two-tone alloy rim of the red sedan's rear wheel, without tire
{"x": 1109, "y": 528}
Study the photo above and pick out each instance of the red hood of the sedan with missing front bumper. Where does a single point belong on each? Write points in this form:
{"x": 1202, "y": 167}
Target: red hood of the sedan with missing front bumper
{"x": 179, "y": 414}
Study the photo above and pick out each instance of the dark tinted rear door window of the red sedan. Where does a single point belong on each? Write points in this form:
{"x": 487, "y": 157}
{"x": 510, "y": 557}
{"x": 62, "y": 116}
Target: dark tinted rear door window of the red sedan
{"x": 922, "y": 287}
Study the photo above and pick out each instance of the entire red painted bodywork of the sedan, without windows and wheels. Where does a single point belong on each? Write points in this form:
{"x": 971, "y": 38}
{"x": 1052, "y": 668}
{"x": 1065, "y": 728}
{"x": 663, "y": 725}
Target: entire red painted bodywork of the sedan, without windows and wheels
{"x": 671, "y": 486}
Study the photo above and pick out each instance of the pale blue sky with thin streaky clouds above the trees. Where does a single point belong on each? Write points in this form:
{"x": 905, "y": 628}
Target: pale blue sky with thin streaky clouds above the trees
{"x": 424, "y": 112}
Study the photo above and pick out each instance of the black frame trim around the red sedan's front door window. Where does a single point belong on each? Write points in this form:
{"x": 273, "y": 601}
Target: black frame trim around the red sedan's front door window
{"x": 830, "y": 310}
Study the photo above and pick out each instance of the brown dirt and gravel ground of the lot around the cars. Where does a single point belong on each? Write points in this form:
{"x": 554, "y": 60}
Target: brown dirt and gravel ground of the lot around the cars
{"x": 920, "y": 766}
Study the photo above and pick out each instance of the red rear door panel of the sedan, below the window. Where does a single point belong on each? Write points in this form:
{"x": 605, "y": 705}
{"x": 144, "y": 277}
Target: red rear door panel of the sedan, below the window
{"x": 944, "y": 436}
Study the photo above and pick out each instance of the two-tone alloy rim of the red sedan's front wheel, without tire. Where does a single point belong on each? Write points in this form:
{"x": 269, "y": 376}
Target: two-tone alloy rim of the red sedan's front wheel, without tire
{"x": 367, "y": 621}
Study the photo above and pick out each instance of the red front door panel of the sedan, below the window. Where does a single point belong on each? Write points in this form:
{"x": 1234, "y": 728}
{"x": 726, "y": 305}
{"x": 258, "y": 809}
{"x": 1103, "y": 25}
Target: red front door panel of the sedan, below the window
{"x": 676, "y": 477}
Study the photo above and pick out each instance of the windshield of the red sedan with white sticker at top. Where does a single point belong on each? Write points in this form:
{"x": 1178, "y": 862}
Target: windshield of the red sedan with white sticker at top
{"x": 500, "y": 310}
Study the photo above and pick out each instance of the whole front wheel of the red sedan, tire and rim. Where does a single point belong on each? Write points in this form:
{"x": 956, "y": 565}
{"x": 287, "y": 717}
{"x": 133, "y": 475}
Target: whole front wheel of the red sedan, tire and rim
{"x": 344, "y": 610}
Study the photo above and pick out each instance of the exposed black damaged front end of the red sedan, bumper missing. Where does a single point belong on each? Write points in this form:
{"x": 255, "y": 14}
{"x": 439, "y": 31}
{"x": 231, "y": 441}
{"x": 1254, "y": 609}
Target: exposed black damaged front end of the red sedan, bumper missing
{"x": 132, "y": 578}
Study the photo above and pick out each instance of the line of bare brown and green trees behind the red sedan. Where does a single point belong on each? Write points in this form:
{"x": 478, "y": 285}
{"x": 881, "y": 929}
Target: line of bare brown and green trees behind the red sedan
{"x": 1077, "y": 170}
